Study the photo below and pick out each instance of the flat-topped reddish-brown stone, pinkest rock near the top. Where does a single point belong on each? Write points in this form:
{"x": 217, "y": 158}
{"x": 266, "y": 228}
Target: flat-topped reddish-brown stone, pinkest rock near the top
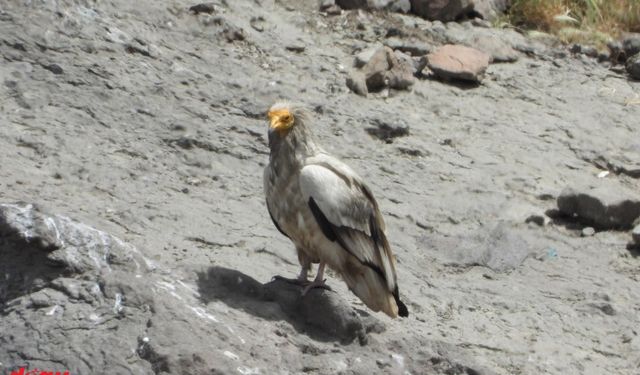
{"x": 458, "y": 62}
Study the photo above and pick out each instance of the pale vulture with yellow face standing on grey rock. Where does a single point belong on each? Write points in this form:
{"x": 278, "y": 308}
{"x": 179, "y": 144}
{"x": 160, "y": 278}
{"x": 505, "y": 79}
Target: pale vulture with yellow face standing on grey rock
{"x": 328, "y": 212}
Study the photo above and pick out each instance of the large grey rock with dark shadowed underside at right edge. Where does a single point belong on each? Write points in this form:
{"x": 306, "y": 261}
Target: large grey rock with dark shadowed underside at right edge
{"x": 604, "y": 207}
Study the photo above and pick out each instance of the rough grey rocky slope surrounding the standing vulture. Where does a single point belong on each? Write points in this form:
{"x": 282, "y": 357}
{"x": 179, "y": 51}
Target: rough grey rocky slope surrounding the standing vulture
{"x": 134, "y": 238}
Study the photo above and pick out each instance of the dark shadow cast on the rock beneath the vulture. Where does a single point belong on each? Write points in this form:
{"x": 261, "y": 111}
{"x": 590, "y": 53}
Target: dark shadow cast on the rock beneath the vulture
{"x": 320, "y": 314}
